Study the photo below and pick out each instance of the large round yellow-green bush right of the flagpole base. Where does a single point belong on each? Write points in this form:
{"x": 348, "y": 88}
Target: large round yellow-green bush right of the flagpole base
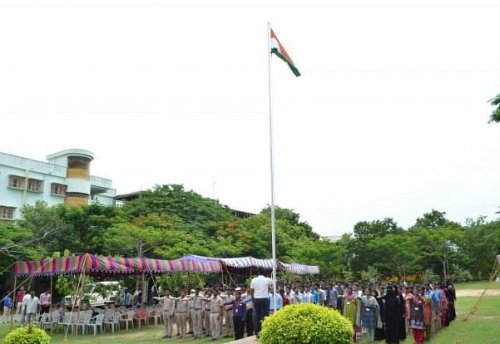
{"x": 306, "y": 324}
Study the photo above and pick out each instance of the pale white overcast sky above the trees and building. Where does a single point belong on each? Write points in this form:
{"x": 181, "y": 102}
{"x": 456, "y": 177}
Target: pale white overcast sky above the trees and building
{"x": 389, "y": 117}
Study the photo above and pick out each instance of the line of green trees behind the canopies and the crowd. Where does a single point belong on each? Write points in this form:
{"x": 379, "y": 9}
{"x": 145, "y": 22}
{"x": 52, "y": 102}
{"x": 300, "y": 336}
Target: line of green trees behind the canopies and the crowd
{"x": 168, "y": 222}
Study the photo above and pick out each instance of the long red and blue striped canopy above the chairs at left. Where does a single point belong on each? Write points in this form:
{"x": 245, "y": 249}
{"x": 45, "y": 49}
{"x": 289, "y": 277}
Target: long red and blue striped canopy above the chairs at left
{"x": 101, "y": 266}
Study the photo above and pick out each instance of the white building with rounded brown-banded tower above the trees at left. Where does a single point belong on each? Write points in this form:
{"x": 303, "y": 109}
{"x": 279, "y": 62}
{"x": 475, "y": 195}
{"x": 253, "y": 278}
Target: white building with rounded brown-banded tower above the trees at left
{"x": 64, "y": 179}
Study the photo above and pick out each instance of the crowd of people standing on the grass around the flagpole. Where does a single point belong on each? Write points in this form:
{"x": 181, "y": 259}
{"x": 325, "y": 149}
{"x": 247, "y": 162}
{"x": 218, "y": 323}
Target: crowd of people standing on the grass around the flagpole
{"x": 378, "y": 311}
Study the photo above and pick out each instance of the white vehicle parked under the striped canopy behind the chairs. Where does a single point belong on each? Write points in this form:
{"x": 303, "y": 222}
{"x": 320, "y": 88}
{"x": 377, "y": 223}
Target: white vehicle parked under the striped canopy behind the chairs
{"x": 97, "y": 293}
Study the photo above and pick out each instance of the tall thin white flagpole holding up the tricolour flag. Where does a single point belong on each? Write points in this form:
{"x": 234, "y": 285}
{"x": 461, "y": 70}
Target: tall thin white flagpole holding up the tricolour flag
{"x": 271, "y": 151}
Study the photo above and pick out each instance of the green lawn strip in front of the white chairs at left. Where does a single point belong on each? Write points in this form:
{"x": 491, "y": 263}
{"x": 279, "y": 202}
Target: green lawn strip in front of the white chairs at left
{"x": 147, "y": 335}
